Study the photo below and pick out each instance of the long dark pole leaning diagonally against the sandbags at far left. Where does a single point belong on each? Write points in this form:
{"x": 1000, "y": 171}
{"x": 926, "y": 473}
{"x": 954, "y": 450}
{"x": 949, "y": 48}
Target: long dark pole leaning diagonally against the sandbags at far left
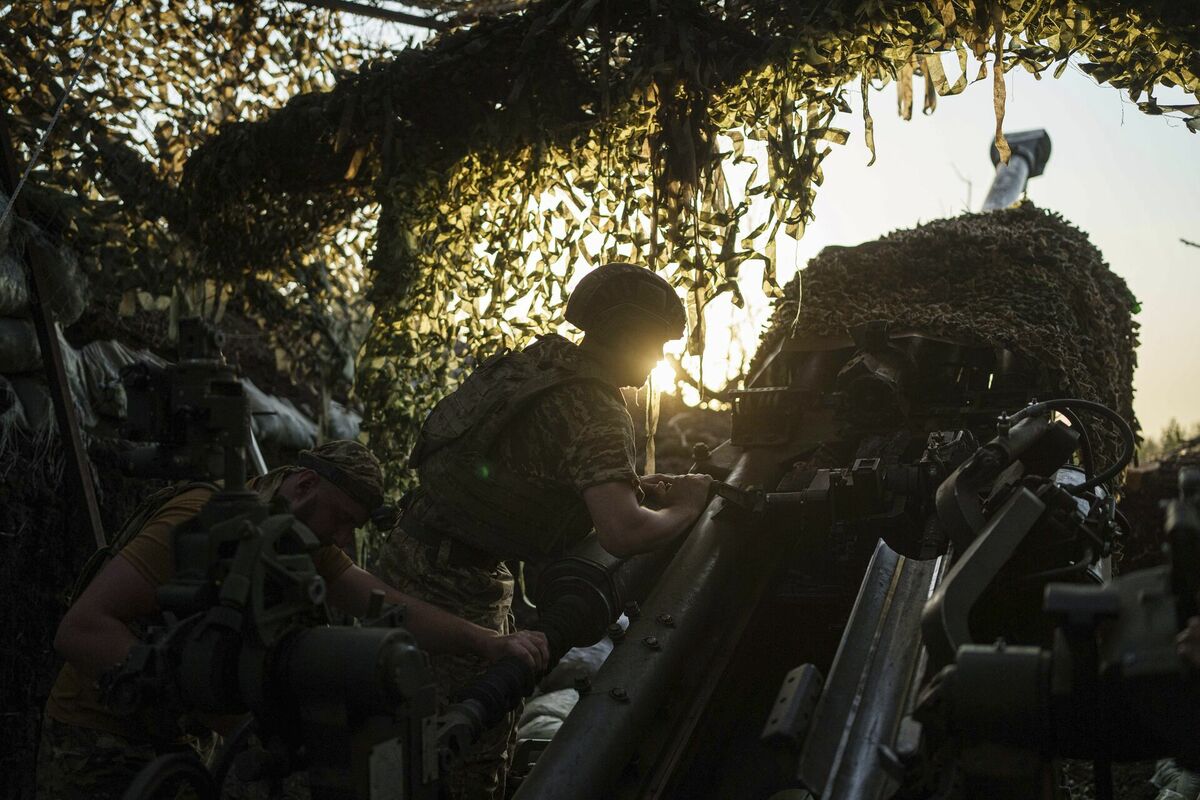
{"x": 79, "y": 466}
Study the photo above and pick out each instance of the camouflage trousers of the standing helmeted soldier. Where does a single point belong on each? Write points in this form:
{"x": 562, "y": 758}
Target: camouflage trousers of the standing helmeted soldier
{"x": 484, "y": 598}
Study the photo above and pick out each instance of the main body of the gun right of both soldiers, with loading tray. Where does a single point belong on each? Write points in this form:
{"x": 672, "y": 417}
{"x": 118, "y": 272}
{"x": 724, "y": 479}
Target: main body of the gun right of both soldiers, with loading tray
{"x": 887, "y": 479}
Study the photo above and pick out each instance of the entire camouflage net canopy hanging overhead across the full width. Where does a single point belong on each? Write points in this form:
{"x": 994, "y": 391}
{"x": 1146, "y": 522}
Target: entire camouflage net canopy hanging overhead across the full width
{"x": 502, "y": 157}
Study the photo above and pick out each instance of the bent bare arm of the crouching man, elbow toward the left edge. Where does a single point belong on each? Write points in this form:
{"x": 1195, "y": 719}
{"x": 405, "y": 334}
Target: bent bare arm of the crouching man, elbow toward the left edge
{"x": 94, "y": 635}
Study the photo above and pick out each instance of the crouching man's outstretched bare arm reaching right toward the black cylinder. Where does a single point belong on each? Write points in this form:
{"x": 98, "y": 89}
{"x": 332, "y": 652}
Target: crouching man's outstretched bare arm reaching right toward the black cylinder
{"x": 435, "y": 629}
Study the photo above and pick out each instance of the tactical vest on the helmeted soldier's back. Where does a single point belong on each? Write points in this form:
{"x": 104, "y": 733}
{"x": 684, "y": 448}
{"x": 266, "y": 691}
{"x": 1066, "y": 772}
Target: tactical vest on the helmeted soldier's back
{"x": 490, "y": 506}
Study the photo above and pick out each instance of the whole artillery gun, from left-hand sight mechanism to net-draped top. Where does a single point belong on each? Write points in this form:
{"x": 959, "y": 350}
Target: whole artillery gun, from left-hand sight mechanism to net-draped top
{"x": 893, "y": 502}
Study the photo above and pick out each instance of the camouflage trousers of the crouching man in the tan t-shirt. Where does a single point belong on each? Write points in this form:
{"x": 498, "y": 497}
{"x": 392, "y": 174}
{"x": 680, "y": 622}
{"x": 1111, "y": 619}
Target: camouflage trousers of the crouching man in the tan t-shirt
{"x": 76, "y": 763}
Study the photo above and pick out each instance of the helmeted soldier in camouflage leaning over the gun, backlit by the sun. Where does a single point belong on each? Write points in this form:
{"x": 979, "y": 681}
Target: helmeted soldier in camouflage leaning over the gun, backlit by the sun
{"x": 532, "y": 453}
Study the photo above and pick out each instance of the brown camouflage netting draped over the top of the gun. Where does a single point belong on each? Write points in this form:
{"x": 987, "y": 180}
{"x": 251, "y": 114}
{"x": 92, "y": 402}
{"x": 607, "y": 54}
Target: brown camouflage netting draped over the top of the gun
{"x": 1023, "y": 279}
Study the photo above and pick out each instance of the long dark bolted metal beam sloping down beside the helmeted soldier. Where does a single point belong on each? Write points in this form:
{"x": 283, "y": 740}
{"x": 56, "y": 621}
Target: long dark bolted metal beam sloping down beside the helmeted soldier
{"x": 671, "y": 637}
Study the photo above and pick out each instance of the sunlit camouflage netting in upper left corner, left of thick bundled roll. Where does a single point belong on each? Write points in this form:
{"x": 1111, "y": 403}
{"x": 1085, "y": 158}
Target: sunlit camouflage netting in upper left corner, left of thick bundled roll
{"x": 154, "y": 82}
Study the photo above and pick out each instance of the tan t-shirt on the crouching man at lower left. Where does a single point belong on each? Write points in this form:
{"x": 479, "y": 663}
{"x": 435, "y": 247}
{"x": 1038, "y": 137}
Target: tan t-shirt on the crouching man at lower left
{"x": 75, "y": 699}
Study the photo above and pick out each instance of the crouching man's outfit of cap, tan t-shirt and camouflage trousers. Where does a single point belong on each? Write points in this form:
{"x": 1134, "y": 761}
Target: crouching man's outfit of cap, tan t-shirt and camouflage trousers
{"x": 87, "y": 751}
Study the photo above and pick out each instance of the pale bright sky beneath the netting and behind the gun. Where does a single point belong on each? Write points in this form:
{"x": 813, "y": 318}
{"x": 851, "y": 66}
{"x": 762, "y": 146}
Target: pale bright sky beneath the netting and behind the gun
{"x": 1129, "y": 181}
